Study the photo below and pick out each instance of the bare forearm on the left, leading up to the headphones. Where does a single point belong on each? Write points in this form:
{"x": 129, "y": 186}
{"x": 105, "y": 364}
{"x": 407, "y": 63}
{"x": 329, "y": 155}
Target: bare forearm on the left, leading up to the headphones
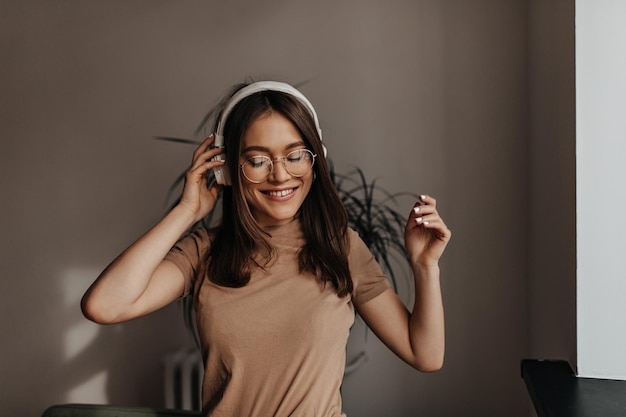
{"x": 128, "y": 277}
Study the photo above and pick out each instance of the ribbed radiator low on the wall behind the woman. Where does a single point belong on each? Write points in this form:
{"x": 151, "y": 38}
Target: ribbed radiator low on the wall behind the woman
{"x": 183, "y": 380}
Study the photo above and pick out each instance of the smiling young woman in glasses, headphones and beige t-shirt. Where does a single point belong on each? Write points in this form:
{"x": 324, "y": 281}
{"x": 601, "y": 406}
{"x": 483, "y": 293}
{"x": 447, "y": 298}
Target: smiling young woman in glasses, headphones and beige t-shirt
{"x": 276, "y": 284}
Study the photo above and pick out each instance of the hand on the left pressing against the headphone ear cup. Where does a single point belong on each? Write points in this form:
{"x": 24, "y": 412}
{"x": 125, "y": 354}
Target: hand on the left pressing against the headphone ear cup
{"x": 197, "y": 197}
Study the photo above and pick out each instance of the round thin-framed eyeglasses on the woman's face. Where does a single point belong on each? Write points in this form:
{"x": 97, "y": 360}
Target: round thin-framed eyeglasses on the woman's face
{"x": 298, "y": 163}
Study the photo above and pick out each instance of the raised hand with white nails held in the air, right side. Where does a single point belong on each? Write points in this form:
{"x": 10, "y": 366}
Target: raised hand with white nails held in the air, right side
{"x": 425, "y": 235}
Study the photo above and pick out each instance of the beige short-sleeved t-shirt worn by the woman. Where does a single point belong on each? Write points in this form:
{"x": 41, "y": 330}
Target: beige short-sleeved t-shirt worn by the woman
{"x": 277, "y": 346}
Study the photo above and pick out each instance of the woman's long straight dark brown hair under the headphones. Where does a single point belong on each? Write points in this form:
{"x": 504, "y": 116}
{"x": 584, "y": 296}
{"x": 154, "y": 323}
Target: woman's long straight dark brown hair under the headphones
{"x": 239, "y": 240}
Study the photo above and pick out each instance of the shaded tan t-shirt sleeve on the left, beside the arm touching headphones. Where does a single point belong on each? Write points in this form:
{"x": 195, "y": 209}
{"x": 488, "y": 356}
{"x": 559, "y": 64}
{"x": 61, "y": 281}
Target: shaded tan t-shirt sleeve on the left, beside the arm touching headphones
{"x": 187, "y": 255}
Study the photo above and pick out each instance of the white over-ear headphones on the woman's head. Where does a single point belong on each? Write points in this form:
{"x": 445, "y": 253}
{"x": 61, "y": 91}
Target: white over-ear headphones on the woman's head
{"x": 221, "y": 173}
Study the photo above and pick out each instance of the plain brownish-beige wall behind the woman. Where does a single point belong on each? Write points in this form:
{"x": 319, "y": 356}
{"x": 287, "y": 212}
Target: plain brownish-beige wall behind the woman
{"x": 428, "y": 96}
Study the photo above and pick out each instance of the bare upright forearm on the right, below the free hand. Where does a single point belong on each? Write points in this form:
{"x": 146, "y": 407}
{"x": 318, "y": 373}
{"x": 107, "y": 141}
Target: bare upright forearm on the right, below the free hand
{"x": 426, "y": 323}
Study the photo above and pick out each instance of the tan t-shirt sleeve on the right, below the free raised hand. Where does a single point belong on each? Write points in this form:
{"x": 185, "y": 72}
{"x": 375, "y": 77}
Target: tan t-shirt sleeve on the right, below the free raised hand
{"x": 367, "y": 276}
